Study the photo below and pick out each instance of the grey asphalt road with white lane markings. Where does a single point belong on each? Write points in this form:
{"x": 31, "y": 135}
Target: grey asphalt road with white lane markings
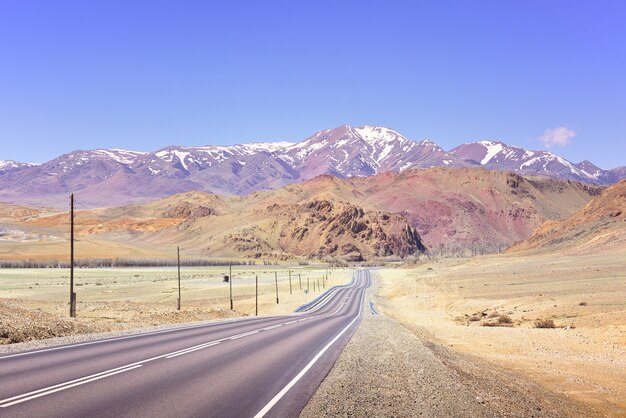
{"x": 253, "y": 367}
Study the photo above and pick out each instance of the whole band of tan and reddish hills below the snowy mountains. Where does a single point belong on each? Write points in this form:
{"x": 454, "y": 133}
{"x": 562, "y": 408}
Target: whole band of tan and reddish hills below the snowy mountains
{"x": 441, "y": 211}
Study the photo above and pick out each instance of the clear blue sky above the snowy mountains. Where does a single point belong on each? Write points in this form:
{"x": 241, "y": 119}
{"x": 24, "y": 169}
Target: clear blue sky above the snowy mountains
{"x": 143, "y": 75}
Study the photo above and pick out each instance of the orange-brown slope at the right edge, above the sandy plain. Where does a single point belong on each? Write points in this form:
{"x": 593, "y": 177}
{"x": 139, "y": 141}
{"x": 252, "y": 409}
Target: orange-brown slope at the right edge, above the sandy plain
{"x": 598, "y": 227}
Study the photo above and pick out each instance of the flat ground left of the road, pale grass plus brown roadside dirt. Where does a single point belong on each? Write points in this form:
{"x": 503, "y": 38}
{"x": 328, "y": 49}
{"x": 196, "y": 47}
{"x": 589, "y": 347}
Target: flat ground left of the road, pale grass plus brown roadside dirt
{"x": 34, "y": 302}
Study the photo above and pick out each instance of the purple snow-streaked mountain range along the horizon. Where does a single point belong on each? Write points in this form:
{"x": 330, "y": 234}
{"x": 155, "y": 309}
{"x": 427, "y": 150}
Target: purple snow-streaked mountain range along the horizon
{"x": 113, "y": 177}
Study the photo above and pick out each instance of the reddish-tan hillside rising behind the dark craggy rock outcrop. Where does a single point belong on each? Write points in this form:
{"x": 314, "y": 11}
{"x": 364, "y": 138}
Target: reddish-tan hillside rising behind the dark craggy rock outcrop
{"x": 455, "y": 211}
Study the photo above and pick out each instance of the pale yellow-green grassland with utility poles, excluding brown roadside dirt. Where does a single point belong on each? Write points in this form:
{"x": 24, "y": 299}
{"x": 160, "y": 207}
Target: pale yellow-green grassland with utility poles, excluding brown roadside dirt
{"x": 127, "y": 295}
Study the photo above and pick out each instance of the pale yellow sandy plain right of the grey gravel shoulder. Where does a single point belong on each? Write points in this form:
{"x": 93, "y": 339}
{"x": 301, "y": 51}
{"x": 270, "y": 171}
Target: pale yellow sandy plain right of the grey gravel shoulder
{"x": 583, "y": 357}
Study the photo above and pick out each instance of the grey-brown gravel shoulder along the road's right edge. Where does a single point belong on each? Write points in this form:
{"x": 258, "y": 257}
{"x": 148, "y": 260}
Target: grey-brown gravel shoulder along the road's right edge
{"x": 387, "y": 370}
